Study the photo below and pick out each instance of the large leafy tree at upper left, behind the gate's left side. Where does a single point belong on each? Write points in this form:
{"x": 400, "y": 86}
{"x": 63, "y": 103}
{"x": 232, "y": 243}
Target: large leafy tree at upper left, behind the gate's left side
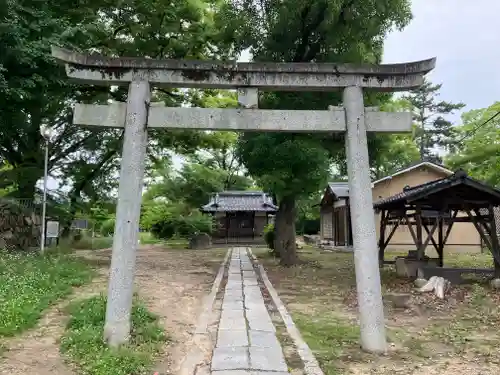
{"x": 34, "y": 89}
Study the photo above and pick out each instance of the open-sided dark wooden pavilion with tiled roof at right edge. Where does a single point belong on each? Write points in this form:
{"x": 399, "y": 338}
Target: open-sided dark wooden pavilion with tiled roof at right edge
{"x": 434, "y": 207}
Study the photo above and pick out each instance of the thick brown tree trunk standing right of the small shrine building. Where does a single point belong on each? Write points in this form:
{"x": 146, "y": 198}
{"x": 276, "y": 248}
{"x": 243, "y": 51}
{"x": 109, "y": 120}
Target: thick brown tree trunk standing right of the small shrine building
{"x": 284, "y": 232}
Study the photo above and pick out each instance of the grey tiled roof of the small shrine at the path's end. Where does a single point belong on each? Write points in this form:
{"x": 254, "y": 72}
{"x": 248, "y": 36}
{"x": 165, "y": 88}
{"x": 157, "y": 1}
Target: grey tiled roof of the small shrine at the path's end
{"x": 240, "y": 201}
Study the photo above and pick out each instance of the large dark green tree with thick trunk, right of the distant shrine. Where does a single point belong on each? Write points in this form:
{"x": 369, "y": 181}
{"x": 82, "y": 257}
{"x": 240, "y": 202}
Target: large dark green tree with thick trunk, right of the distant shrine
{"x": 291, "y": 166}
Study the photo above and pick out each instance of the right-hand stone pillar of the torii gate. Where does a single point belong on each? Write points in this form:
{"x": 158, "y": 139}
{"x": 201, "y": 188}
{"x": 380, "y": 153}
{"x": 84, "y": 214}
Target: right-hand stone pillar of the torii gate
{"x": 366, "y": 264}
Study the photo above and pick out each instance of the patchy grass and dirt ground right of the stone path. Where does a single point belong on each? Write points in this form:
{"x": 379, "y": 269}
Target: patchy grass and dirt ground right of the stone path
{"x": 460, "y": 330}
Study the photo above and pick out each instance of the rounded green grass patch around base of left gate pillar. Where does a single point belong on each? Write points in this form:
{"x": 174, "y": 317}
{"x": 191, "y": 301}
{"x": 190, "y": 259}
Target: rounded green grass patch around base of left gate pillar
{"x": 83, "y": 340}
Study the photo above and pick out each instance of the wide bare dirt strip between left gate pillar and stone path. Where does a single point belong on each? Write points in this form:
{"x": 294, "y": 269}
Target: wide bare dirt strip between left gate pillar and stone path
{"x": 173, "y": 284}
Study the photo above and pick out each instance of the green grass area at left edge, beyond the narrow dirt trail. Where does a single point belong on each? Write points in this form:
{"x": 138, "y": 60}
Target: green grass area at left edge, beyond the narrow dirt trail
{"x": 30, "y": 283}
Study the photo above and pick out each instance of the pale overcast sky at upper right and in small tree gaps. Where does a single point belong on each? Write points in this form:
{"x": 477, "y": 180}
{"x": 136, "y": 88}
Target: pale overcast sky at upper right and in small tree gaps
{"x": 464, "y": 35}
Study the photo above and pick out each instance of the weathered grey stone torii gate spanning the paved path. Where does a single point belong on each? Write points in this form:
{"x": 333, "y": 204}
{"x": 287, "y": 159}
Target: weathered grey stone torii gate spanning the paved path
{"x": 137, "y": 115}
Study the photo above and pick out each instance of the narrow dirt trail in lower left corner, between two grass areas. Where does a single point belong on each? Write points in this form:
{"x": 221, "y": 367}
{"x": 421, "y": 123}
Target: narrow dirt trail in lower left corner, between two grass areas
{"x": 37, "y": 351}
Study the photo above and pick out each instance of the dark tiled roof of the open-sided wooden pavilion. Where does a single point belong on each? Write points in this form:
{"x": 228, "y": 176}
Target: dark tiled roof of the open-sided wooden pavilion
{"x": 459, "y": 178}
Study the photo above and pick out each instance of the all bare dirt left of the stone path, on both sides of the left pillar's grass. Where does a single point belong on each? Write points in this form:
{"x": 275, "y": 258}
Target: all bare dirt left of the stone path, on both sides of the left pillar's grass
{"x": 172, "y": 283}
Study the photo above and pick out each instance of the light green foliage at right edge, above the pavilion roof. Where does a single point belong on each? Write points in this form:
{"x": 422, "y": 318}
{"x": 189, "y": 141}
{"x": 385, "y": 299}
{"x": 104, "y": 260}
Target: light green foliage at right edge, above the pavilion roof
{"x": 479, "y": 153}
